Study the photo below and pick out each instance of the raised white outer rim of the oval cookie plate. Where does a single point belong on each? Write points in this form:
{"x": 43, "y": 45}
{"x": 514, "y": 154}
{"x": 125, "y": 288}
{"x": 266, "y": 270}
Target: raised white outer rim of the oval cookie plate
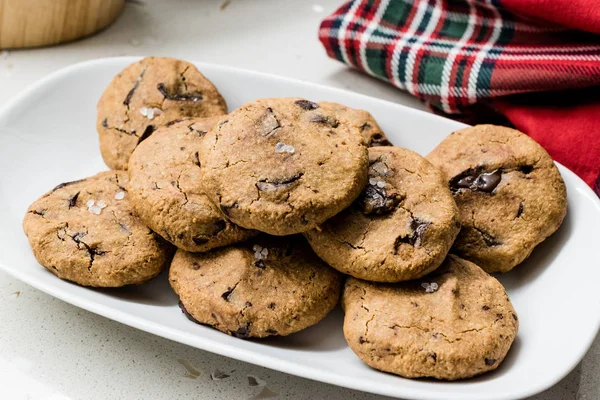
{"x": 245, "y": 355}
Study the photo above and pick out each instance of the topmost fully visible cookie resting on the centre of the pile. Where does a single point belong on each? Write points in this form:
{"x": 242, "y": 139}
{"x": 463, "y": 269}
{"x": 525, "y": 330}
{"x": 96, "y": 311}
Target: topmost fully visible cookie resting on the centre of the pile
{"x": 283, "y": 166}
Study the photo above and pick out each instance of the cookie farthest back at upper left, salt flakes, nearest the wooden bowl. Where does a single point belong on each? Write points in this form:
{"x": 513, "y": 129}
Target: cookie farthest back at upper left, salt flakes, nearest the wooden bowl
{"x": 146, "y": 95}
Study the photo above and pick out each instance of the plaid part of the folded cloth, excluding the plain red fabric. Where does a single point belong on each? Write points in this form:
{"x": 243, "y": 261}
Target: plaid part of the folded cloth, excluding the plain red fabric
{"x": 453, "y": 54}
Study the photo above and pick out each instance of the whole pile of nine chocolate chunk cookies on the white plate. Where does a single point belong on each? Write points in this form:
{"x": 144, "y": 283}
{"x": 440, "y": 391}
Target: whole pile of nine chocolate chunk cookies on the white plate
{"x": 279, "y": 208}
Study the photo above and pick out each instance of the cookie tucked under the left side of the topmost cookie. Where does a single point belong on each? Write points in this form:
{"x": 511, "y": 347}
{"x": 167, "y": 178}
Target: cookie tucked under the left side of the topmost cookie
{"x": 165, "y": 189}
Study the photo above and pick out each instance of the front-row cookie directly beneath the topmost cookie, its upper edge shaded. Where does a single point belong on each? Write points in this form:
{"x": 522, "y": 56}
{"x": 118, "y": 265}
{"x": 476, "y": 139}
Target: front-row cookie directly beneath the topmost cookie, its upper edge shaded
{"x": 266, "y": 286}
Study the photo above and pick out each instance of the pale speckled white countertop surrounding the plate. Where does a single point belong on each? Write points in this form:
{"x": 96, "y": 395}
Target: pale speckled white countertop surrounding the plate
{"x": 54, "y": 351}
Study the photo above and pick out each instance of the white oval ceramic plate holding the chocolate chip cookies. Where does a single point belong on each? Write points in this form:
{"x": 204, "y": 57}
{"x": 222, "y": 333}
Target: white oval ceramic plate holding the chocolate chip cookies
{"x": 48, "y": 136}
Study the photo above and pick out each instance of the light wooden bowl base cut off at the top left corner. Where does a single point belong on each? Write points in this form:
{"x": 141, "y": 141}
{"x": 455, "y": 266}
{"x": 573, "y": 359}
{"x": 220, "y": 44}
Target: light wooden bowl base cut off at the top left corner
{"x": 28, "y": 23}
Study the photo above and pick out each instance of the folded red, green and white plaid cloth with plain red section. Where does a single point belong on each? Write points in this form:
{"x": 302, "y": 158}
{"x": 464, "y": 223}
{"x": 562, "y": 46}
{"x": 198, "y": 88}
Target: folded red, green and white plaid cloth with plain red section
{"x": 474, "y": 59}
